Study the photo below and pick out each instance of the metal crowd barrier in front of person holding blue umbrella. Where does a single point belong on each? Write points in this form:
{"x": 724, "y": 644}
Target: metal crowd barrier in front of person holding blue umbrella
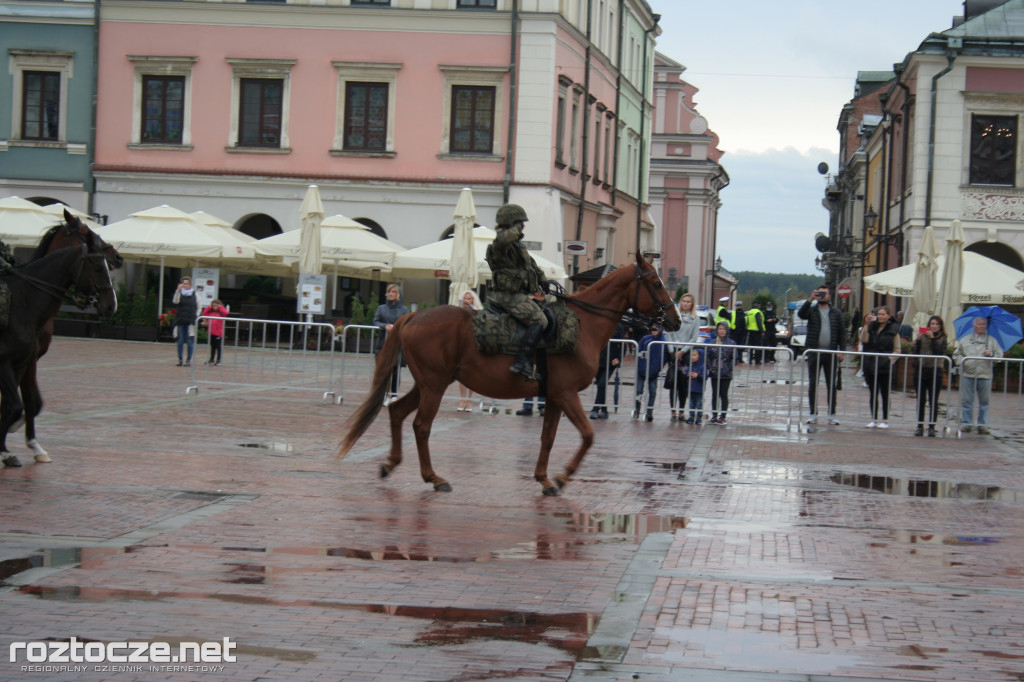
{"x": 1006, "y": 398}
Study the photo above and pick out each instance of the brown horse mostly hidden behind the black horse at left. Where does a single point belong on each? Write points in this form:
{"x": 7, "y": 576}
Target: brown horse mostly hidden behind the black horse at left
{"x": 72, "y": 232}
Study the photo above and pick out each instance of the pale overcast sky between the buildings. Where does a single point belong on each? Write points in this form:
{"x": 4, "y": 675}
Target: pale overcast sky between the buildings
{"x": 773, "y": 78}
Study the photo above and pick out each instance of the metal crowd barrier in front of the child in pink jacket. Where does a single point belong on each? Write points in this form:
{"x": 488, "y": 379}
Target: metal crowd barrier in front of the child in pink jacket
{"x": 269, "y": 354}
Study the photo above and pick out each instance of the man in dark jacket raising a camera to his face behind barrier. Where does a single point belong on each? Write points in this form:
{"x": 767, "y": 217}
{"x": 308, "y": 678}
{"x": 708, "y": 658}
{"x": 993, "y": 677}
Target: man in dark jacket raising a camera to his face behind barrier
{"x": 825, "y": 332}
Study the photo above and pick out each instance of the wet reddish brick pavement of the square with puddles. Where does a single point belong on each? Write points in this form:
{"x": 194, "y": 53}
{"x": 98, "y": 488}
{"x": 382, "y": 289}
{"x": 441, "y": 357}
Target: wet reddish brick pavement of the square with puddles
{"x": 735, "y": 553}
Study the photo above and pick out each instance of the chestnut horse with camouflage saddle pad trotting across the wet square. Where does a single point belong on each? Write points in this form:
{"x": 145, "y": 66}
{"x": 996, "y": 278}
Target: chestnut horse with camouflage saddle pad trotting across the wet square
{"x": 440, "y": 349}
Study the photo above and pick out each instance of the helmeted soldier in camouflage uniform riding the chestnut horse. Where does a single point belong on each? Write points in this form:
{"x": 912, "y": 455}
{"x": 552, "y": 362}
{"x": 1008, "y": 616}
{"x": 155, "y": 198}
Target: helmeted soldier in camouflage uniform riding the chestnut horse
{"x": 517, "y": 283}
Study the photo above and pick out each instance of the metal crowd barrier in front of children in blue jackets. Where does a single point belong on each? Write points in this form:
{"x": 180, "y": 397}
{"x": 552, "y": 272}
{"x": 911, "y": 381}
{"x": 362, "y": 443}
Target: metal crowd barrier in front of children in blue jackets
{"x": 760, "y": 392}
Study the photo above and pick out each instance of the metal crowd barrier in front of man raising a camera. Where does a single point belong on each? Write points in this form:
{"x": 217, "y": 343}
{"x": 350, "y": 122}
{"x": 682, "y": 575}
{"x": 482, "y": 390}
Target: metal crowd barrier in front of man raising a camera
{"x": 903, "y": 387}
